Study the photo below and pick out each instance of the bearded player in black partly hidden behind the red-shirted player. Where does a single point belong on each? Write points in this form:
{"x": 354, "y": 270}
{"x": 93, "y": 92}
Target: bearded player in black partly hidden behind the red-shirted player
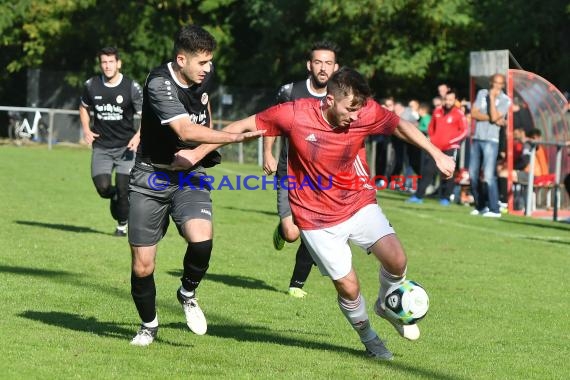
{"x": 321, "y": 64}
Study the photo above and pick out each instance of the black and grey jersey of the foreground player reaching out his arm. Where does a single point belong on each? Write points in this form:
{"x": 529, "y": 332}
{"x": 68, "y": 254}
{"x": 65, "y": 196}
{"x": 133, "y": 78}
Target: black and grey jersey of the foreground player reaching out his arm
{"x": 167, "y": 99}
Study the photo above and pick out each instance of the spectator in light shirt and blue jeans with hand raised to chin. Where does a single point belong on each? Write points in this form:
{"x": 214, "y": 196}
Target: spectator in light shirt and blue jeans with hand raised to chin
{"x": 489, "y": 110}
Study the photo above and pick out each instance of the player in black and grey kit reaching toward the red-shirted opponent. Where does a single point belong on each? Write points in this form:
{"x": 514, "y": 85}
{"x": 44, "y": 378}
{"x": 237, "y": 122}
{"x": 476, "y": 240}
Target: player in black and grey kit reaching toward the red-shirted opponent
{"x": 175, "y": 118}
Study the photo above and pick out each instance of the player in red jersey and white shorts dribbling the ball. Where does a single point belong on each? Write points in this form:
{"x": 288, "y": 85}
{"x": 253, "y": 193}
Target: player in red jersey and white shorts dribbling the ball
{"x": 326, "y": 136}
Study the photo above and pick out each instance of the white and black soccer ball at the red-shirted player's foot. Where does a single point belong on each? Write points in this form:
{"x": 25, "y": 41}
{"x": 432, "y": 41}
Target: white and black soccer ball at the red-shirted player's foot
{"x": 406, "y": 302}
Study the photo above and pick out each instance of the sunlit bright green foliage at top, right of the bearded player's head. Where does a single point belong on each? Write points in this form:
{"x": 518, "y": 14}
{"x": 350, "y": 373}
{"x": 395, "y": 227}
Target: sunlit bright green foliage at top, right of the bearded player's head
{"x": 403, "y": 40}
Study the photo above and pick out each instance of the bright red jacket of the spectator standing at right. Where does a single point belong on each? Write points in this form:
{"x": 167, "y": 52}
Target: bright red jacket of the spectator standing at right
{"x": 447, "y": 130}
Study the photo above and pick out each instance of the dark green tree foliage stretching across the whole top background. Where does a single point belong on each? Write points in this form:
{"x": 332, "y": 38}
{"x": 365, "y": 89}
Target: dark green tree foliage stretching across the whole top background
{"x": 403, "y": 46}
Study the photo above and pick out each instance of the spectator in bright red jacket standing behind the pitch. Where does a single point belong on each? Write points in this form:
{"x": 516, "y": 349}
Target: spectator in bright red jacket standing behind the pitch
{"x": 446, "y": 131}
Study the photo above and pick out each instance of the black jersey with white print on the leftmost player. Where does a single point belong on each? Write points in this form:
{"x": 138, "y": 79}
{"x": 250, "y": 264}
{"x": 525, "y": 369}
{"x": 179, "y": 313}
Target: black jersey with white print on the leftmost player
{"x": 114, "y": 107}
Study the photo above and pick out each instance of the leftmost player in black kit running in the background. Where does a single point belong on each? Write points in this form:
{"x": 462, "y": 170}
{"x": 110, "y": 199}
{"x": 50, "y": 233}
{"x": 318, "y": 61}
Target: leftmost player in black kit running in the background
{"x": 114, "y": 99}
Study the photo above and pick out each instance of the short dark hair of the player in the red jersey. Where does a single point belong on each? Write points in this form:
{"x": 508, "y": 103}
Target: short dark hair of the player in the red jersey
{"x": 348, "y": 81}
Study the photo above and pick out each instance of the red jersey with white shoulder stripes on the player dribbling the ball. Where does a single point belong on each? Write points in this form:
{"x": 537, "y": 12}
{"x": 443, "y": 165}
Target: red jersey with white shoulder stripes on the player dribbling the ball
{"x": 322, "y": 159}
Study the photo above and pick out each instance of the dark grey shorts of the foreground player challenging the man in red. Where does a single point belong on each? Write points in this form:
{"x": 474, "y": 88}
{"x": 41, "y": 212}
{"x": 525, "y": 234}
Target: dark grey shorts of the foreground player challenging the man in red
{"x": 151, "y": 205}
